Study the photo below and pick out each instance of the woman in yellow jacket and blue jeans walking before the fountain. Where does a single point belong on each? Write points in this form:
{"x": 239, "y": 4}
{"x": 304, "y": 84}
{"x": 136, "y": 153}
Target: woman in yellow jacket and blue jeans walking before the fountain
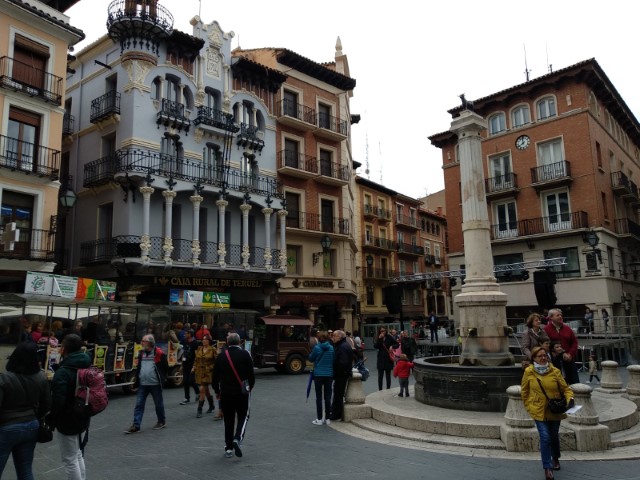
{"x": 541, "y": 372}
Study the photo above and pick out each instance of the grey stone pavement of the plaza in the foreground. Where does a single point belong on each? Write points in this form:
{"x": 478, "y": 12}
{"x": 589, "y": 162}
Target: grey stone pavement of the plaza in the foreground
{"x": 281, "y": 443}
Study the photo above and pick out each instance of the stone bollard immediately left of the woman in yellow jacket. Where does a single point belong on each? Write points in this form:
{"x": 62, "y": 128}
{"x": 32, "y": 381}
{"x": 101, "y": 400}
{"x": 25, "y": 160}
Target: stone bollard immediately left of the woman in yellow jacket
{"x": 517, "y": 432}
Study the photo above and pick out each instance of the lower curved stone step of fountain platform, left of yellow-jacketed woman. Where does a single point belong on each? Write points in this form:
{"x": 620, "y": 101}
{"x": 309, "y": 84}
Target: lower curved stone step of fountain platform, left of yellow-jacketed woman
{"x": 425, "y": 437}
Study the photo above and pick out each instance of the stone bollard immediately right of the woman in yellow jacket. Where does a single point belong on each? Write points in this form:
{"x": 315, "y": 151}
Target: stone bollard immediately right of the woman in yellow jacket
{"x": 589, "y": 434}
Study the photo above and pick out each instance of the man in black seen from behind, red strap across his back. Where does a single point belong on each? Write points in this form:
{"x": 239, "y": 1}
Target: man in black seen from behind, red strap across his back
{"x": 233, "y": 366}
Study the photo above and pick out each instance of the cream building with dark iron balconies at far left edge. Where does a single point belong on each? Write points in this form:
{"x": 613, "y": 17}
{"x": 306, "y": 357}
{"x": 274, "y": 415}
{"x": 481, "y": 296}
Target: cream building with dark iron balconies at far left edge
{"x": 34, "y": 39}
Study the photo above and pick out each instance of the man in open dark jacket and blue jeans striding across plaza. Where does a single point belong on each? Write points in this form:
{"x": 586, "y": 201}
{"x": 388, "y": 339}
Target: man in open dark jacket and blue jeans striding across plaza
{"x": 151, "y": 374}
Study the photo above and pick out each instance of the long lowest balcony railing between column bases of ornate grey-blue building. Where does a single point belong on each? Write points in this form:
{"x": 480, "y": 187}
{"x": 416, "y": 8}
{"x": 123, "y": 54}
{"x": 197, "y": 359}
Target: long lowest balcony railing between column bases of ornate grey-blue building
{"x": 128, "y": 246}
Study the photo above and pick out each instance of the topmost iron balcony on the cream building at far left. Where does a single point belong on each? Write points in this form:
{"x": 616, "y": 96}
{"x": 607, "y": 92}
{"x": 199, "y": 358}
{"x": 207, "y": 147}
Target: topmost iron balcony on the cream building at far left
{"x": 21, "y": 77}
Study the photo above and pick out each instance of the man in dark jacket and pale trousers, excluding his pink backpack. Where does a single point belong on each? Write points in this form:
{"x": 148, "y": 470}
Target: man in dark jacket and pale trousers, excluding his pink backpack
{"x": 63, "y": 389}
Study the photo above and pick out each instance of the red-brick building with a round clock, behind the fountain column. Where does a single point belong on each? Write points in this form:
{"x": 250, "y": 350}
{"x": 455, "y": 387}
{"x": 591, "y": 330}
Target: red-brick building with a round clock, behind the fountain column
{"x": 562, "y": 166}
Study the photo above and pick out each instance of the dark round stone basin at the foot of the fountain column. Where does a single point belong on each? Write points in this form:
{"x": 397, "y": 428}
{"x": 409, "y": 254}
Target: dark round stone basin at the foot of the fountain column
{"x": 443, "y": 382}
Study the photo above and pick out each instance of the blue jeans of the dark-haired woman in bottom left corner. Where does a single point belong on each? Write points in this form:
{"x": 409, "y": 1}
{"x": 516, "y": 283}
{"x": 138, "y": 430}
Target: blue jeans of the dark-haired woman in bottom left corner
{"x": 19, "y": 439}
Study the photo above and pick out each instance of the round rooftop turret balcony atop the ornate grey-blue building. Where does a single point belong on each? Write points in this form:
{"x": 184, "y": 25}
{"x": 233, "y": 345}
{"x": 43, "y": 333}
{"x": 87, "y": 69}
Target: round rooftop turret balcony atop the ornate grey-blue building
{"x": 138, "y": 24}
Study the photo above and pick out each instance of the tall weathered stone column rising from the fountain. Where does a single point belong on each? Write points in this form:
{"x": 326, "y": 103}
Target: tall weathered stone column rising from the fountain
{"x": 483, "y": 317}
